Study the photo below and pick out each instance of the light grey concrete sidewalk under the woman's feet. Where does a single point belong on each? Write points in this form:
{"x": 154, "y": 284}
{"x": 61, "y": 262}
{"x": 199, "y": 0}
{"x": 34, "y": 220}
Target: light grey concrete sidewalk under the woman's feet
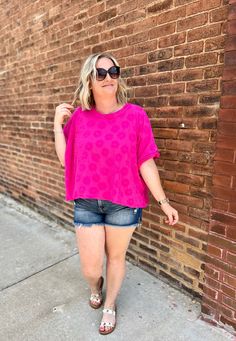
{"x": 44, "y": 297}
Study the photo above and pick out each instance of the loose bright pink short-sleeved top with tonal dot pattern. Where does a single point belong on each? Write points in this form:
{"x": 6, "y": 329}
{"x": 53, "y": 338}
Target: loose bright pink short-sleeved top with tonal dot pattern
{"x": 104, "y": 153}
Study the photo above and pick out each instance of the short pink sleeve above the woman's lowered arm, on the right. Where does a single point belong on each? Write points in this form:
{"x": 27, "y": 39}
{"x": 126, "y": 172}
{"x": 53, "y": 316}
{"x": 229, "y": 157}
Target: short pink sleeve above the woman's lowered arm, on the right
{"x": 147, "y": 147}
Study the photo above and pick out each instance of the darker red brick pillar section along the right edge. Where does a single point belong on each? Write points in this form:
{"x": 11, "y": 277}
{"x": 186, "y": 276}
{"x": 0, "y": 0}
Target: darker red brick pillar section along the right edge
{"x": 219, "y": 298}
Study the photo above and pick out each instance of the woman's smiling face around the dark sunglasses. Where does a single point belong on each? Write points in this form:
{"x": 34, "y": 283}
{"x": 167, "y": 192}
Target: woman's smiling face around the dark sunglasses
{"x": 107, "y": 87}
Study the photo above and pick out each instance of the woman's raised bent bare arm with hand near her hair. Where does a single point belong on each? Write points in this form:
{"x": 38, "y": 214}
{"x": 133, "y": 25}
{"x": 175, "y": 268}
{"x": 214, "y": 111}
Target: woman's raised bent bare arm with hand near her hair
{"x": 62, "y": 111}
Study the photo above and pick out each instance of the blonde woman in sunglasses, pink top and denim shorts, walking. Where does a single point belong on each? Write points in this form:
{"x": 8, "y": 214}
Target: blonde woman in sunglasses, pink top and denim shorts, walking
{"x": 107, "y": 147}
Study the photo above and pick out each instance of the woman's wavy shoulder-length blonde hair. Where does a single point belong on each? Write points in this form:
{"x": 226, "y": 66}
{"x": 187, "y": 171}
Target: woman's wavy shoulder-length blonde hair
{"x": 87, "y": 73}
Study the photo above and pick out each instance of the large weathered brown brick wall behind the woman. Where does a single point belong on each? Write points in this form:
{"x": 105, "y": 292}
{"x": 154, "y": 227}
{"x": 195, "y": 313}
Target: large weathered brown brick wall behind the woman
{"x": 172, "y": 55}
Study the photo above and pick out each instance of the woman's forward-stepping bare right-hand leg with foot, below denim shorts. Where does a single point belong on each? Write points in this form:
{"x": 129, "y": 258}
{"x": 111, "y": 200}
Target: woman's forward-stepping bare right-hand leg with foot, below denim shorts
{"x": 117, "y": 242}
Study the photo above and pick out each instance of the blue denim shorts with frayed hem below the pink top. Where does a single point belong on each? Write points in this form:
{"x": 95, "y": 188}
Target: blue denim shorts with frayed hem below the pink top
{"x": 103, "y": 212}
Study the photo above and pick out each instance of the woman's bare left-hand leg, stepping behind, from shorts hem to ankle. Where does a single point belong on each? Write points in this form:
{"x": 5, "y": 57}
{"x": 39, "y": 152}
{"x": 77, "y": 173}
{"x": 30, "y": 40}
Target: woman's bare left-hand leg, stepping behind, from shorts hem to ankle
{"x": 91, "y": 246}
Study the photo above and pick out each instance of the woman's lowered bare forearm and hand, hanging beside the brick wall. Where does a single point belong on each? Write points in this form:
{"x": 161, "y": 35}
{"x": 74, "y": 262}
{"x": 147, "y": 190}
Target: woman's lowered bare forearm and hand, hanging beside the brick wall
{"x": 150, "y": 175}
